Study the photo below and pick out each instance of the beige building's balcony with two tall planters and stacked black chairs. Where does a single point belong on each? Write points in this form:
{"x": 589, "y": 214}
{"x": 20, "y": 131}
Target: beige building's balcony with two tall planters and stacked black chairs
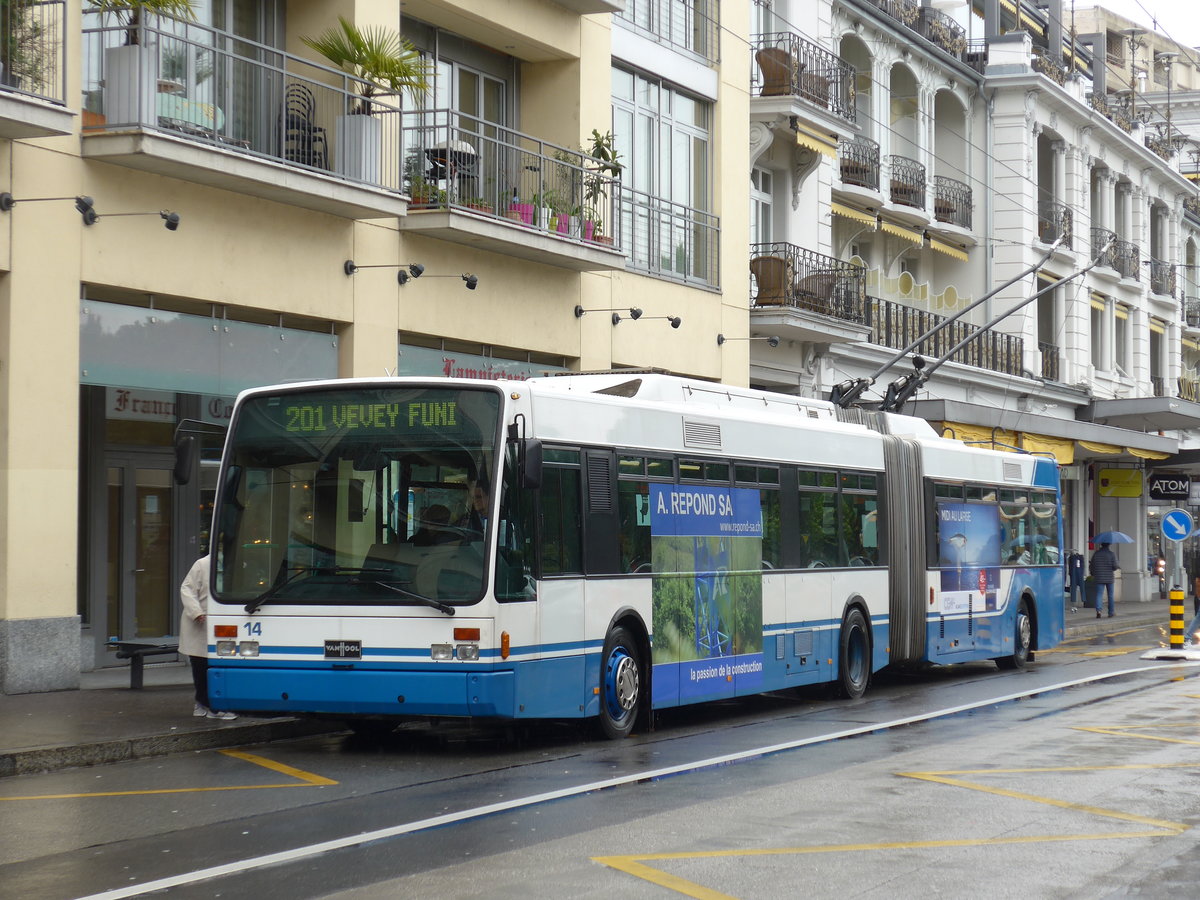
{"x": 191, "y": 103}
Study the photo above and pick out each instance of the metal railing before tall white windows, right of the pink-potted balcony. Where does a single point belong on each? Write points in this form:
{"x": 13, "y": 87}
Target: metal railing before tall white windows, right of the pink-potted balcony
{"x": 670, "y": 241}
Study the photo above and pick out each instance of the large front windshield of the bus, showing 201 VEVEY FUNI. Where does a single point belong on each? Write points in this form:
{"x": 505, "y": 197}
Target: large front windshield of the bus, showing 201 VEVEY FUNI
{"x": 358, "y": 495}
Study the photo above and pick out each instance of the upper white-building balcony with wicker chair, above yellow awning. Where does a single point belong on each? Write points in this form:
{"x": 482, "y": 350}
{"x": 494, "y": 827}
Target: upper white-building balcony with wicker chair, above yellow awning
{"x": 787, "y": 65}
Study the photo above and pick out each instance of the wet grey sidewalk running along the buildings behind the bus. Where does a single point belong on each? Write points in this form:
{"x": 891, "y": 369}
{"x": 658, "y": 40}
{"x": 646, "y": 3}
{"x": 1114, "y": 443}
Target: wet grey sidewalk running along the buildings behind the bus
{"x": 106, "y": 722}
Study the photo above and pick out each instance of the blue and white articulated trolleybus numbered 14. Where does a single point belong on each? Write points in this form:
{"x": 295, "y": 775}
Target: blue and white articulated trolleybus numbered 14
{"x": 604, "y": 547}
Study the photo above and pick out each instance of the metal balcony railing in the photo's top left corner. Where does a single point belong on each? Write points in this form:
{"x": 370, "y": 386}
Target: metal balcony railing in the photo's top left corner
{"x": 33, "y": 49}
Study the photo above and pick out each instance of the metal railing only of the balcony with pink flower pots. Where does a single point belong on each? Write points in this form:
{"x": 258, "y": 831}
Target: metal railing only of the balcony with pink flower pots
{"x": 457, "y": 161}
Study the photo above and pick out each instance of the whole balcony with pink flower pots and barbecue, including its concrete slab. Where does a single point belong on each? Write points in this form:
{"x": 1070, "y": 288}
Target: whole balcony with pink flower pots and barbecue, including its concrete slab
{"x": 475, "y": 183}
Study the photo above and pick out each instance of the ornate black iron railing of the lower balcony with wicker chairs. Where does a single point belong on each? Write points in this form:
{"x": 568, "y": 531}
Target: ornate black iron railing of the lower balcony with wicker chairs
{"x": 788, "y": 275}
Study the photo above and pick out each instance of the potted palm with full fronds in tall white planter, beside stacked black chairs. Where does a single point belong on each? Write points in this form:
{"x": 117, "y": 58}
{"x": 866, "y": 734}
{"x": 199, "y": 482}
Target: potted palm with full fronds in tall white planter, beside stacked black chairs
{"x": 383, "y": 64}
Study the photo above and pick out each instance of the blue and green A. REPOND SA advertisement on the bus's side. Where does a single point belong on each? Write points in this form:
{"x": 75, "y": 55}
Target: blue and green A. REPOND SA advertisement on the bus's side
{"x": 707, "y": 596}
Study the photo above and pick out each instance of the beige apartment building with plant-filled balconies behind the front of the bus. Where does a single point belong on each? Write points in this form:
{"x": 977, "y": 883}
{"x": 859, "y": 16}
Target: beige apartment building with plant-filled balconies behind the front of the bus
{"x": 218, "y": 207}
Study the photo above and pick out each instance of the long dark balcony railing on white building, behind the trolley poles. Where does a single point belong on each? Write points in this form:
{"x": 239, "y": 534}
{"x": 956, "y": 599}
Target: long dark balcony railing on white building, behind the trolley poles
{"x": 897, "y": 326}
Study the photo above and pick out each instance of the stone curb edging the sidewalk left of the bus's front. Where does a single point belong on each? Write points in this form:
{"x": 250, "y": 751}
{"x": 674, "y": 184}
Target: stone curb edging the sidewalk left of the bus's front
{"x": 53, "y": 759}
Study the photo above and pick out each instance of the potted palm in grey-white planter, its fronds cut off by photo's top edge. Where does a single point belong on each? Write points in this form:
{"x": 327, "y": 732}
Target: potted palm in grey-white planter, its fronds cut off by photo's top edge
{"x": 131, "y": 71}
